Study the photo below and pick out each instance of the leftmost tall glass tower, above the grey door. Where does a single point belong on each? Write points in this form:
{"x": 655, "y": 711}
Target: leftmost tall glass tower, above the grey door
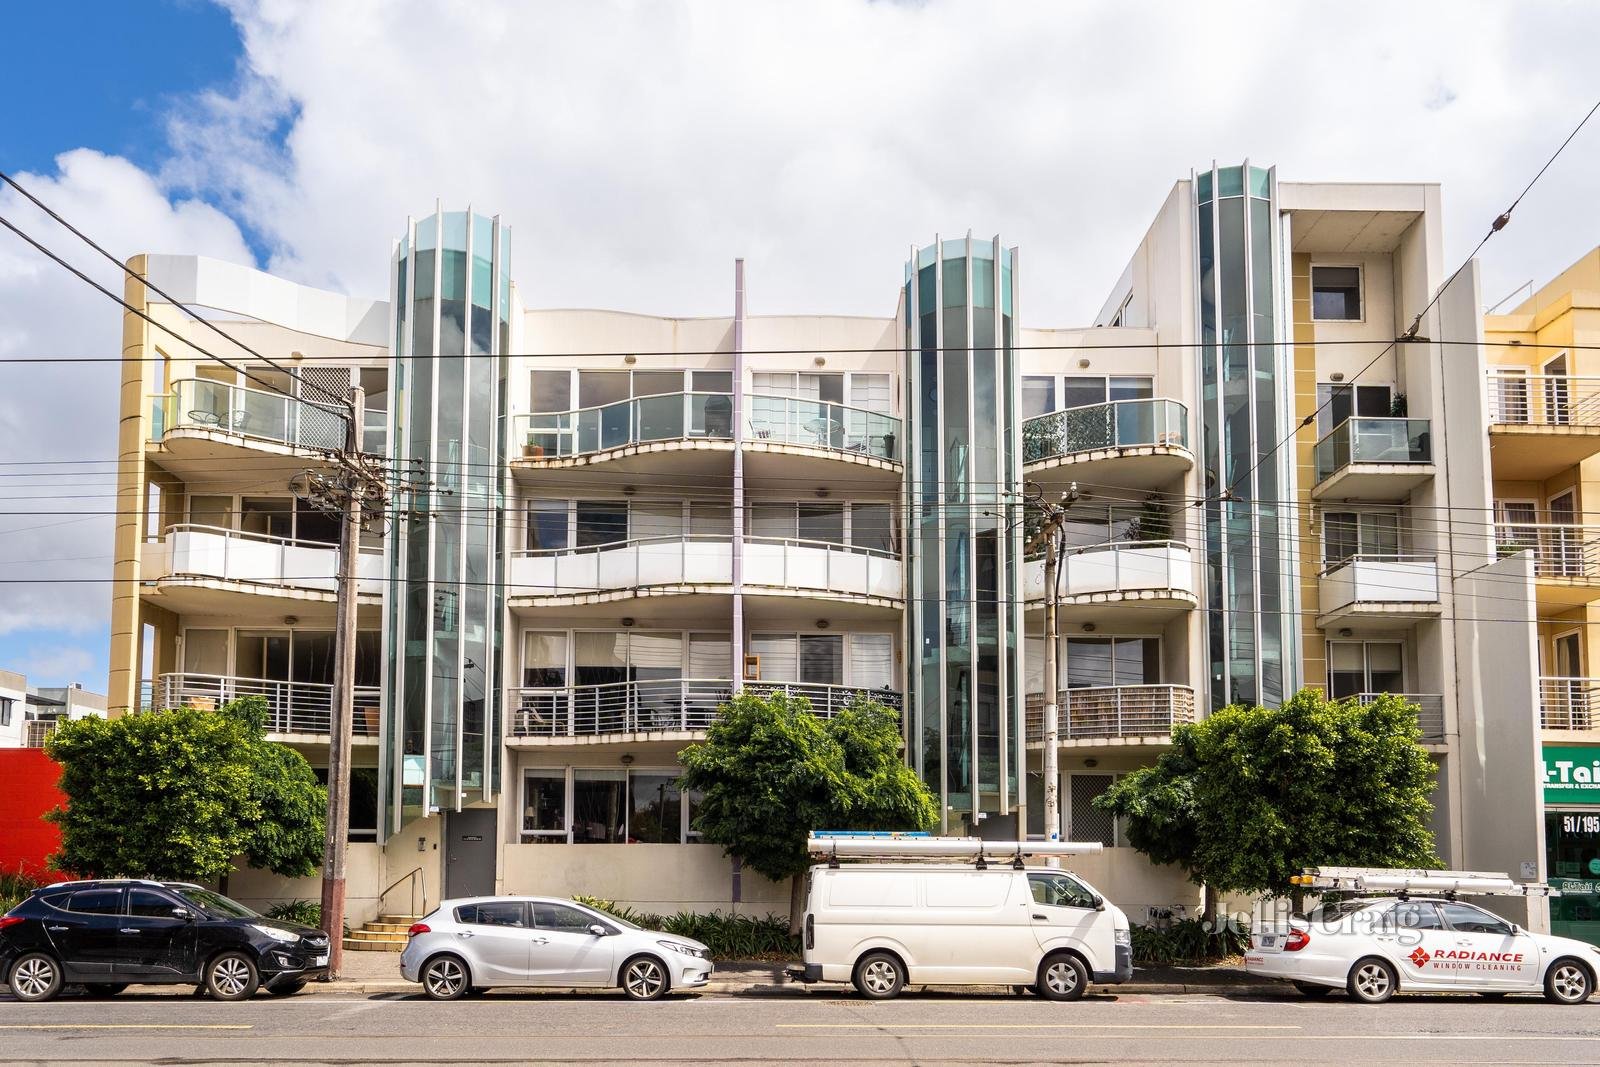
{"x": 452, "y": 298}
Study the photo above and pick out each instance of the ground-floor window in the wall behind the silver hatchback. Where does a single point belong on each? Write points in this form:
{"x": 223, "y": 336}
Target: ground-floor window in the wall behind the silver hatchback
{"x": 606, "y": 807}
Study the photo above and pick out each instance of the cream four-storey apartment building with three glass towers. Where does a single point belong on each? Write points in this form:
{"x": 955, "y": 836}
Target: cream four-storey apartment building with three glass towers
{"x": 631, "y": 518}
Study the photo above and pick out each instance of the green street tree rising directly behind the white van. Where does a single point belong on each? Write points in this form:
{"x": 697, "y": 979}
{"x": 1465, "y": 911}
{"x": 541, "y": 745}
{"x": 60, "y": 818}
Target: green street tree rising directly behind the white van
{"x": 772, "y": 772}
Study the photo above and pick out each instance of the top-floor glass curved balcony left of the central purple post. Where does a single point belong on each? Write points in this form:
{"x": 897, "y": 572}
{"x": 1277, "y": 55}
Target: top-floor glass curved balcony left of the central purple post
{"x": 686, "y": 433}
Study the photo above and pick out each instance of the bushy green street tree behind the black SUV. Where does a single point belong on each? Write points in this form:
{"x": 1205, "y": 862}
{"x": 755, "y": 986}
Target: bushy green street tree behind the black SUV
{"x": 185, "y": 794}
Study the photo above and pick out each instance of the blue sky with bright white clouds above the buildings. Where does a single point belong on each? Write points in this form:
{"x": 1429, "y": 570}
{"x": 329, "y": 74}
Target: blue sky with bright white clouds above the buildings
{"x": 639, "y": 148}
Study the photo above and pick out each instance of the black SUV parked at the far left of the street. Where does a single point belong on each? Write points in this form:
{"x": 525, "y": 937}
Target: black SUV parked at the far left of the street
{"x": 108, "y": 935}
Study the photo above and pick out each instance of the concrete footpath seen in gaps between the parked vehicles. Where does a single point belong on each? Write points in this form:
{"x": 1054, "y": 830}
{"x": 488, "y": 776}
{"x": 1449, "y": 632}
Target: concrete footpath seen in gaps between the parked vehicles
{"x": 380, "y": 973}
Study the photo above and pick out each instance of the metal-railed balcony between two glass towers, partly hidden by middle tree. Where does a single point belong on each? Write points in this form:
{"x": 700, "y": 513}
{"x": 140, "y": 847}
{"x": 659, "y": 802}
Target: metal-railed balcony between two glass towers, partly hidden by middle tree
{"x": 670, "y": 709}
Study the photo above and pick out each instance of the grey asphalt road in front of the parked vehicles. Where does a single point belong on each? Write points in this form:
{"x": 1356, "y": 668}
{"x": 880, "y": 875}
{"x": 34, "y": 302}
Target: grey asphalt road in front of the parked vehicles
{"x": 799, "y": 1028}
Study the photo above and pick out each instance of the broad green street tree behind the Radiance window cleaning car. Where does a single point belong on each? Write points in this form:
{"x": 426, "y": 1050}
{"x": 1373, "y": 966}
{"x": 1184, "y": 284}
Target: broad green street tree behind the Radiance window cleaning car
{"x": 1250, "y": 796}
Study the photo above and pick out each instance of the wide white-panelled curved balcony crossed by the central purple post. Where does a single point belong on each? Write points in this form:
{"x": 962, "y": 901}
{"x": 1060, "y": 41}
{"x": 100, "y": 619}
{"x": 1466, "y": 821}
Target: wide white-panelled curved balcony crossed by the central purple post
{"x": 655, "y": 567}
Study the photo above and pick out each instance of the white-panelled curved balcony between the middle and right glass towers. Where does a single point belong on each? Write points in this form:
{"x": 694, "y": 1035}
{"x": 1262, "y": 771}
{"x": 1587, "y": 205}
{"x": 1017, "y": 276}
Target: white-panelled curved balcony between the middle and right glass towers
{"x": 1142, "y": 577}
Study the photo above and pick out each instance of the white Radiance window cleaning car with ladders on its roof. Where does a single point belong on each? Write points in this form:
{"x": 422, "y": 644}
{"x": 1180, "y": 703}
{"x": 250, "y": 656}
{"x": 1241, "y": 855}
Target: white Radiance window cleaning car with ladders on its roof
{"x": 1407, "y": 932}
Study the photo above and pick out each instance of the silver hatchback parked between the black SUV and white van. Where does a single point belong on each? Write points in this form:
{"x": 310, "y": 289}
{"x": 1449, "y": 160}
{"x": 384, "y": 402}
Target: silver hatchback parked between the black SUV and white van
{"x": 470, "y": 945}
